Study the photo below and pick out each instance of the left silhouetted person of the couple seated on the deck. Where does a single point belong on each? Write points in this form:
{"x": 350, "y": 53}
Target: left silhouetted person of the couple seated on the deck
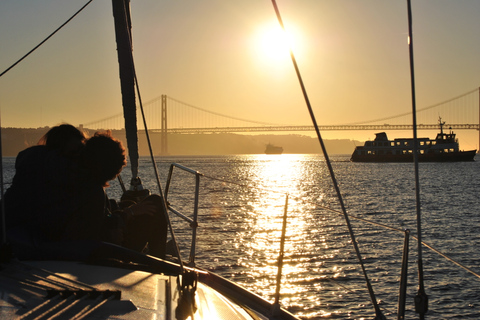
{"x": 40, "y": 193}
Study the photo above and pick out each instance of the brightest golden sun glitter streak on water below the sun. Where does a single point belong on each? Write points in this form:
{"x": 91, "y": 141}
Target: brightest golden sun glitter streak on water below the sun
{"x": 272, "y": 177}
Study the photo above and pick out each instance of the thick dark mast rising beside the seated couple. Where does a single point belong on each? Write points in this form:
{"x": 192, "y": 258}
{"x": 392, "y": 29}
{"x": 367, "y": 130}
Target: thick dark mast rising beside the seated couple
{"x": 123, "y": 26}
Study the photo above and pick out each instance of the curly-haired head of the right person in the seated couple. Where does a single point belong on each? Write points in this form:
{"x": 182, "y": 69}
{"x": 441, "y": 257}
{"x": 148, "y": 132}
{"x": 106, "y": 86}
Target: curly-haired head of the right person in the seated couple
{"x": 103, "y": 157}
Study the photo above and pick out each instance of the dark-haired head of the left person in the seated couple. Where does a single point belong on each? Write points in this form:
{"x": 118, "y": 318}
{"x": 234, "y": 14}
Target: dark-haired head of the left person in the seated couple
{"x": 65, "y": 138}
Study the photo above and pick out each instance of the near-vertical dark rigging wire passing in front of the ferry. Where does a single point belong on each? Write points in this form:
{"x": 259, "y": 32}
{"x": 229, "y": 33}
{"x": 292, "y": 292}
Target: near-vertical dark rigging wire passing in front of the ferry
{"x": 421, "y": 299}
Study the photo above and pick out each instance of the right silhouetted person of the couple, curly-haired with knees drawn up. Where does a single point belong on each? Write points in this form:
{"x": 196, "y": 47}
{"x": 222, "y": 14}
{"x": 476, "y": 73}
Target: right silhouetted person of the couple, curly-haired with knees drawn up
{"x": 139, "y": 226}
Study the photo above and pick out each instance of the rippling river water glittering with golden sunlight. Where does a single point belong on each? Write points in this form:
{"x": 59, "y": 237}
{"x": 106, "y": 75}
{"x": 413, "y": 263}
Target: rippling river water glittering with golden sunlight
{"x": 242, "y": 202}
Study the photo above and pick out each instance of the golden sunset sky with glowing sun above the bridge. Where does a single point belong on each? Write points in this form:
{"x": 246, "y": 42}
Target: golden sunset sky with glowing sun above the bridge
{"x": 353, "y": 56}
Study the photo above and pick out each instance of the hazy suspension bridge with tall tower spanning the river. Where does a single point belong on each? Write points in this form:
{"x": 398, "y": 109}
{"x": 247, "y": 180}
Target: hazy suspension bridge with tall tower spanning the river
{"x": 168, "y": 115}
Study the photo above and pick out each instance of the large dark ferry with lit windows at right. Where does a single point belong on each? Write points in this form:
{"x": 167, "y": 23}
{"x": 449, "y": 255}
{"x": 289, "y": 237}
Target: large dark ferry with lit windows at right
{"x": 444, "y": 148}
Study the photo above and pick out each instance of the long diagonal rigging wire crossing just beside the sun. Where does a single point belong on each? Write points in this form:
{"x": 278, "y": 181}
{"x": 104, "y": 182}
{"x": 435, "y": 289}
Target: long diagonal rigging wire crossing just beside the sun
{"x": 378, "y": 312}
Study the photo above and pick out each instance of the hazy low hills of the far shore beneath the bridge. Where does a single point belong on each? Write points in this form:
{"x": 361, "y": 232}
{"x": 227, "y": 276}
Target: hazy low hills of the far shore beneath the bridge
{"x": 15, "y": 140}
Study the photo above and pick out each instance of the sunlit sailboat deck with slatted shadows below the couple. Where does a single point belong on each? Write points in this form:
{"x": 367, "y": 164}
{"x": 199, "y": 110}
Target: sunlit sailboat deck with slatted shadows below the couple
{"x": 72, "y": 290}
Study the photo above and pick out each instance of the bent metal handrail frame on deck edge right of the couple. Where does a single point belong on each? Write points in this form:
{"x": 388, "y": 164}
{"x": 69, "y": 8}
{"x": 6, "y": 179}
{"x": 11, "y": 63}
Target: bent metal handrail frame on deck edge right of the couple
{"x": 193, "y": 222}
